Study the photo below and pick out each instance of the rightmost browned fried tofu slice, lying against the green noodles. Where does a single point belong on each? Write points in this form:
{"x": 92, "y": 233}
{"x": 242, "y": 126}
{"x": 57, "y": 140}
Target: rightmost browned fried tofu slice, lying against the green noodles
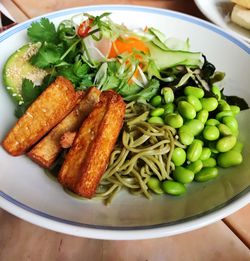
{"x": 89, "y": 155}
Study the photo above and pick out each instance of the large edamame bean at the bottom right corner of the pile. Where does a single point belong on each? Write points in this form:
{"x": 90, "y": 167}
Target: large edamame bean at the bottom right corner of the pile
{"x": 229, "y": 159}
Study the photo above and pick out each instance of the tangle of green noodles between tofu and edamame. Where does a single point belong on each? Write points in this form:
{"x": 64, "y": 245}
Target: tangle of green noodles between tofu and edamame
{"x": 143, "y": 150}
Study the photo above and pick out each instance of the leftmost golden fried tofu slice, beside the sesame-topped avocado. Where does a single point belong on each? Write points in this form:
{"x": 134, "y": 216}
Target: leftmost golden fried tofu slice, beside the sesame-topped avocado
{"x": 43, "y": 114}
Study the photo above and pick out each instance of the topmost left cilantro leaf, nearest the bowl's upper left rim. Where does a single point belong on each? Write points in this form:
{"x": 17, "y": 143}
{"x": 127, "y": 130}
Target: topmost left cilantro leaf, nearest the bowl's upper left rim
{"x": 42, "y": 31}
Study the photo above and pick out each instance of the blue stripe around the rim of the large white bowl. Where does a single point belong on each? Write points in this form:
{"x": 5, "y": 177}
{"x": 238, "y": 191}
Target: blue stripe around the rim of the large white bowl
{"x": 111, "y": 8}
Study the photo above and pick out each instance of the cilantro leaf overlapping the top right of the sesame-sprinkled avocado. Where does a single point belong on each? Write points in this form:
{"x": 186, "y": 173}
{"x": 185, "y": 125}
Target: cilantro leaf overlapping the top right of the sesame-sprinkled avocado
{"x": 48, "y": 55}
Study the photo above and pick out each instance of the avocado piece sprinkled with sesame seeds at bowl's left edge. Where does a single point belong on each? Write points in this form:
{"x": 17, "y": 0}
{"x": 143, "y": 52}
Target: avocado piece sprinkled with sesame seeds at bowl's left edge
{"x": 17, "y": 67}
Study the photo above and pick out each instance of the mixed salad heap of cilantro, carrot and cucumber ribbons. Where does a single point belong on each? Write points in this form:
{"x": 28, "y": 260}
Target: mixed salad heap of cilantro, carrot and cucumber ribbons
{"x": 94, "y": 51}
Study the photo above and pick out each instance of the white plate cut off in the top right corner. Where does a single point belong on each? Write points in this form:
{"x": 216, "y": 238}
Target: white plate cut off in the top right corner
{"x": 218, "y": 11}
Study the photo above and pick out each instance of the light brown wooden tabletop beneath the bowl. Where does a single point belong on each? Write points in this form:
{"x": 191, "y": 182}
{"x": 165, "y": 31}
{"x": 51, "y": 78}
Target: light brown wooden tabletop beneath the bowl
{"x": 228, "y": 239}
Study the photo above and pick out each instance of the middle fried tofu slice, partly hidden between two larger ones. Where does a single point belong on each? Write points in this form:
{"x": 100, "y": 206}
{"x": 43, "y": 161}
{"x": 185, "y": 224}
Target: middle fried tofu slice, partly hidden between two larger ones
{"x": 46, "y": 151}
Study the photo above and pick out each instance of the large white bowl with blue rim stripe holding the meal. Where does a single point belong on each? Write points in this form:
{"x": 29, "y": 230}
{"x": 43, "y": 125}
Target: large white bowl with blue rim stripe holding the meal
{"x": 28, "y": 193}
